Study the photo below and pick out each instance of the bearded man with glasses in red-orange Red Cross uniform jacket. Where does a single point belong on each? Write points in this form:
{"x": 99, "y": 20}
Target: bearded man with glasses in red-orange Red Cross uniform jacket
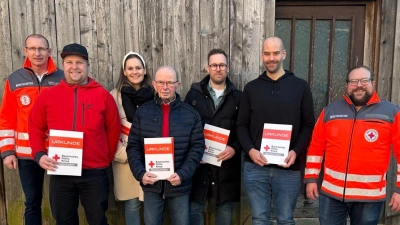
{"x": 354, "y": 136}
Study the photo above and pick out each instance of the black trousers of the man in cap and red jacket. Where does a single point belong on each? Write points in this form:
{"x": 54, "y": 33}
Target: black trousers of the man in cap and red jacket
{"x": 91, "y": 188}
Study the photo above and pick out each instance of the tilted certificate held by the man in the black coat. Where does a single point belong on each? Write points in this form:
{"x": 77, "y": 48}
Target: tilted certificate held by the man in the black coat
{"x": 215, "y": 139}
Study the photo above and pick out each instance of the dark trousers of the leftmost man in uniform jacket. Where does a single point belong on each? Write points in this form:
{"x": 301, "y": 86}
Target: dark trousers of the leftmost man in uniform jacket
{"x": 32, "y": 175}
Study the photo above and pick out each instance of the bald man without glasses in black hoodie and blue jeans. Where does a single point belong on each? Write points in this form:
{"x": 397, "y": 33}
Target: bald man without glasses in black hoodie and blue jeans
{"x": 277, "y": 97}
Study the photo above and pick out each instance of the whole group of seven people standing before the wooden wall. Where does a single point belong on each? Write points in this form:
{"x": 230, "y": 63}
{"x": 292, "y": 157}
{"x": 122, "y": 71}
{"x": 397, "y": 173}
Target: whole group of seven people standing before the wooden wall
{"x": 353, "y": 137}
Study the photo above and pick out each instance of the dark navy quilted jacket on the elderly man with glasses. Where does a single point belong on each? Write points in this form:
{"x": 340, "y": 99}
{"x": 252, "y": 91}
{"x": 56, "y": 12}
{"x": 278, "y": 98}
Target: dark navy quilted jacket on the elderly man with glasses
{"x": 187, "y": 130}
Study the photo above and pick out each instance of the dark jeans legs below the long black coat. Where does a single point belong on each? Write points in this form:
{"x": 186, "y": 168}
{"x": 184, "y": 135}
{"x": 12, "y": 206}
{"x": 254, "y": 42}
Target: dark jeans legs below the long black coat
{"x": 223, "y": 213}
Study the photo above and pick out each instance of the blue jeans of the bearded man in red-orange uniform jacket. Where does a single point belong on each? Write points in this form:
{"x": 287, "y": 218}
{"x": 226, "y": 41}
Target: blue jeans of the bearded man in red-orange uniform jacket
{"x": 334, "y": 212}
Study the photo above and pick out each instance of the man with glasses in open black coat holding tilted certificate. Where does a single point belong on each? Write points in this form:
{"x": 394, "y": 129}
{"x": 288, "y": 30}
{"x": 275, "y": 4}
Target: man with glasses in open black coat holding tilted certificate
{"x": 217, "y": 101}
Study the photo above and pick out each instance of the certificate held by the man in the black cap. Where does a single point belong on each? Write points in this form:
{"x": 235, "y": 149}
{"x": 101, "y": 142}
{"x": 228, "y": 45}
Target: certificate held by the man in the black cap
{"x": 66, "y": 148}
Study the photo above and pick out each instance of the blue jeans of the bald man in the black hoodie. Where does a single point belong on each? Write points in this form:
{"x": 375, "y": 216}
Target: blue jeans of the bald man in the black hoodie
{"x": 267, "y": 183}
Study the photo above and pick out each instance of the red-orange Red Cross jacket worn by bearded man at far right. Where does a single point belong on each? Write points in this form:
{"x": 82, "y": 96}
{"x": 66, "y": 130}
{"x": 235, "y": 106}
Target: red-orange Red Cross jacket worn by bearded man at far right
{"x": 356, "y": 146}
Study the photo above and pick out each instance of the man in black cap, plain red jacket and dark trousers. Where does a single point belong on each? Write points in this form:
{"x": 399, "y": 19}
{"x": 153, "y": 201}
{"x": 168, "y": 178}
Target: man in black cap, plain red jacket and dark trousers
{"x": 81, "y": 104}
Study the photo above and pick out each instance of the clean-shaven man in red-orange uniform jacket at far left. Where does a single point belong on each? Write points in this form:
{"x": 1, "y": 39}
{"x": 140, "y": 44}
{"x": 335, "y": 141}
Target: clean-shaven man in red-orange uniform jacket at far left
{"x": 21, "y": 90}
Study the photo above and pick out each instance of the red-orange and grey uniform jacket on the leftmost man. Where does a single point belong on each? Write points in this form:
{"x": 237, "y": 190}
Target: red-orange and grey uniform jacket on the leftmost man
{"x": 20, "y": 92}
